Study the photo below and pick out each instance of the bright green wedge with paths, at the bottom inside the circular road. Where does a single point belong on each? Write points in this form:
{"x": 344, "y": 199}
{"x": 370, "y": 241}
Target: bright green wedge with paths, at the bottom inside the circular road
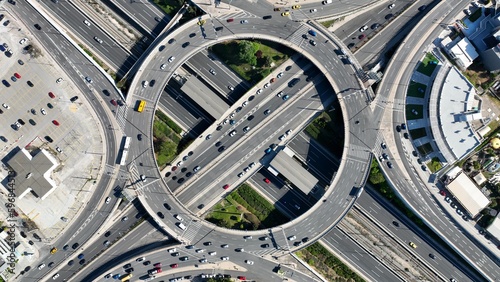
{"x": 245, "y": 209}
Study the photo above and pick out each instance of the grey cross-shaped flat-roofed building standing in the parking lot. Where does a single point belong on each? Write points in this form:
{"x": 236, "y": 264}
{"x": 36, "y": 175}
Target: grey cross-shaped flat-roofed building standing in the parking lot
{"x": 33, "y": 173}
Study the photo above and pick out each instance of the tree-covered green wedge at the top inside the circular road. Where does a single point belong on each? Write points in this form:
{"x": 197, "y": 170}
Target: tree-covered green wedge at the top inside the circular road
{"x": 228, "y": 52}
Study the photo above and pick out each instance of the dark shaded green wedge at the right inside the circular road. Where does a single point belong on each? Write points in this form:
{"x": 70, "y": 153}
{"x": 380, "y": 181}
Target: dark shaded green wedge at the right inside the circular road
{"x": 328, "y": 130}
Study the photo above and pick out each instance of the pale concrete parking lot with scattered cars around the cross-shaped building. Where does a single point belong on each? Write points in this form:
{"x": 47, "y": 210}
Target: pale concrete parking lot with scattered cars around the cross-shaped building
{"x": 56, "y": 122}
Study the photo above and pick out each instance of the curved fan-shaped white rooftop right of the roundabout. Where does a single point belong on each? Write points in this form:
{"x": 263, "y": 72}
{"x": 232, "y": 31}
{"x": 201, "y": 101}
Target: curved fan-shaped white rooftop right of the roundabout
{"x": 455, "y": 102}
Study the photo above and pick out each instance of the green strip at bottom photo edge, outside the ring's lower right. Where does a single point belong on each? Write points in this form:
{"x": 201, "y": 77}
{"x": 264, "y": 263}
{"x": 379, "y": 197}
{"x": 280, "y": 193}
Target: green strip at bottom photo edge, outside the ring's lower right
{"x": 327, "y": 264}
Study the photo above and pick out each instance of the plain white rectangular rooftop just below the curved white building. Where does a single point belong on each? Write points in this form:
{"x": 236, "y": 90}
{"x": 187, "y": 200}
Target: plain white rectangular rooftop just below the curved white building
{"x": 468, "y": 194}
